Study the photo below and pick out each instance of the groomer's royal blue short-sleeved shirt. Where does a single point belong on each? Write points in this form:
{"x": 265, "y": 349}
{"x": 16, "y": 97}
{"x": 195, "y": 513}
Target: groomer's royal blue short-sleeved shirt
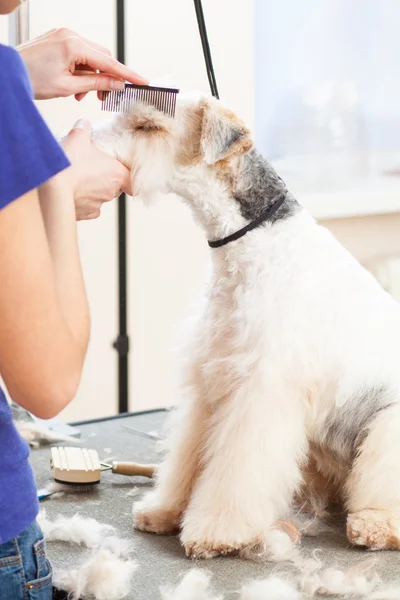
{"x": 29, "y": 156}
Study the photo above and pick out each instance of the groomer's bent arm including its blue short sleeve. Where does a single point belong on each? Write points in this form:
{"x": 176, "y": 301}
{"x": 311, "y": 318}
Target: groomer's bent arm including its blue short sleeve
{"x": 43, "y": 308}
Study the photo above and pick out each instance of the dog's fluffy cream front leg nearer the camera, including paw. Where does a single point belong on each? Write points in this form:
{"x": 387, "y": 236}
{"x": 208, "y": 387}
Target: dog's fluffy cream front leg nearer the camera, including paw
{"x": 254, "y": 445}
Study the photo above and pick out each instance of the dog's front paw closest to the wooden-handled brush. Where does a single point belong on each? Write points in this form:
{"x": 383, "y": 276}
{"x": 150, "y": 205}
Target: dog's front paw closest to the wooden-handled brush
{"x": 148, "y": 515}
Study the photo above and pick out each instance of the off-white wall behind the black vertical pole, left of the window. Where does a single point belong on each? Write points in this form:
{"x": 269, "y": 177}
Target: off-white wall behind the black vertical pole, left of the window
{"x": 166, "y": 252}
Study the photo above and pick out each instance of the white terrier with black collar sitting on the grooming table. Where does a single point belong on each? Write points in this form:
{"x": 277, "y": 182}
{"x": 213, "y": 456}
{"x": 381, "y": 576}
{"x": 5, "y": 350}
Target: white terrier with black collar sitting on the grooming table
{"x": 293, "y": 386}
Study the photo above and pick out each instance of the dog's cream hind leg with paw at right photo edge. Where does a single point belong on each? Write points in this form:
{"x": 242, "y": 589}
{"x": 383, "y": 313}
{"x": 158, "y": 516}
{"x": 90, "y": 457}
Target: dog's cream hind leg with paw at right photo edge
{"x": 373, "y": 486}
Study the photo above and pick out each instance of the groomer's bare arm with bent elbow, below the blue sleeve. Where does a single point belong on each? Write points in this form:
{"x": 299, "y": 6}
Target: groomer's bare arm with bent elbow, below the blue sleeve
{"x": 44, "y": 323}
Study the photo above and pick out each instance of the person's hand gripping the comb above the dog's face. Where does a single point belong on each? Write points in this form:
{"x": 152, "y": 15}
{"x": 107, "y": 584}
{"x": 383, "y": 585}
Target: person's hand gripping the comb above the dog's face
{"x": 62, "y": 63}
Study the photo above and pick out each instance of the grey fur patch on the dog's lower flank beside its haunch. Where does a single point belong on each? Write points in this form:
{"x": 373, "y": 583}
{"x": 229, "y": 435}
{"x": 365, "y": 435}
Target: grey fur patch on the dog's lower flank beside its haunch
{"x": 346, "y": 428}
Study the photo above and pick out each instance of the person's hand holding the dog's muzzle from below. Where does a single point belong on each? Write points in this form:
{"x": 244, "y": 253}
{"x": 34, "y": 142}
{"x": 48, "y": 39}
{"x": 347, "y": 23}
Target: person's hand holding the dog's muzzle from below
{"x": 96, "y": 177}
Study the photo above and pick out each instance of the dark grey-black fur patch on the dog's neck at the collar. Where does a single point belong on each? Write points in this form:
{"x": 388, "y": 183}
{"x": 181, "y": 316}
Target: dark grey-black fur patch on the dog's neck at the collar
{"x": 259, "y": 187}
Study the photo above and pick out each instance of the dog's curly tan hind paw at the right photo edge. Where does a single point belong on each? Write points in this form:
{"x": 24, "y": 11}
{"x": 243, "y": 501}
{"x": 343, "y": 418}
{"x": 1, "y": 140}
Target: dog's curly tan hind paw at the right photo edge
{"x": 374, "y": 529}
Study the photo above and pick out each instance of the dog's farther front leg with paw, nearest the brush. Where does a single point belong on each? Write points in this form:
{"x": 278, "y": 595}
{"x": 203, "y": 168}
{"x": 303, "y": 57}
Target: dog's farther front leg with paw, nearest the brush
{"x": 161, "y": 510}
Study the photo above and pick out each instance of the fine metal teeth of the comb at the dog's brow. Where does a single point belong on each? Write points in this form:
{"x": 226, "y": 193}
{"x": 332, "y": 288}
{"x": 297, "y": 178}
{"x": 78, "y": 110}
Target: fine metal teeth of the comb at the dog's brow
{"x": 163, "y": 99}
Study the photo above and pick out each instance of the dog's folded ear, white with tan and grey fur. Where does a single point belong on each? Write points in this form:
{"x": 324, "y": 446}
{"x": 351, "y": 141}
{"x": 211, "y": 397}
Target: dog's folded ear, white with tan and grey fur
{"x": 222, "y": 133}
